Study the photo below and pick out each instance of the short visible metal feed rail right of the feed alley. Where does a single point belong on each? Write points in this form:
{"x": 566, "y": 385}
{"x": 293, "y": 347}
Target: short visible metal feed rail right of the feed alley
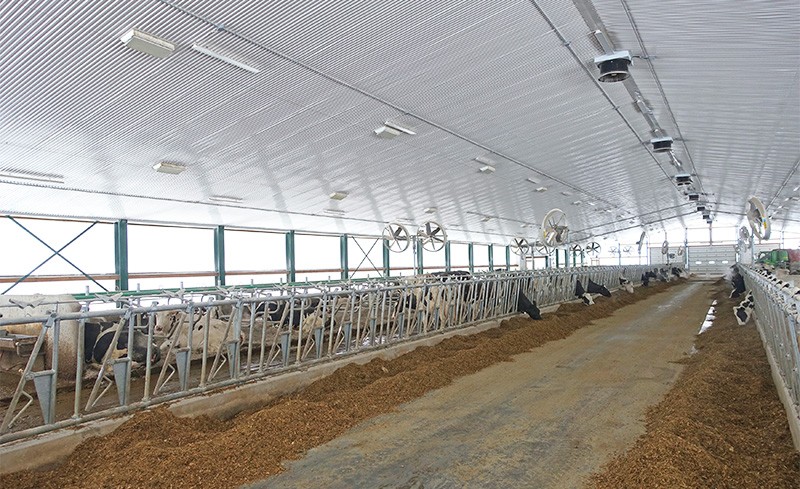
{"x": 777, "y": 313}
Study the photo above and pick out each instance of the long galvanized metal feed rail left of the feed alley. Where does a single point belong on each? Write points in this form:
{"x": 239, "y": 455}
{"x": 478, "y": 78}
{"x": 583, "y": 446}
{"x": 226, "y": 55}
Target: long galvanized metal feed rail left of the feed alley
{"x": 332, "y": 319}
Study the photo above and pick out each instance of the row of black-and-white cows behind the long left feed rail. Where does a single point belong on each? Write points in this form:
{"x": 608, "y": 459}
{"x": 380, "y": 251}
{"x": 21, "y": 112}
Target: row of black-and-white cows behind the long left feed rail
{"x": 426, "y": 303}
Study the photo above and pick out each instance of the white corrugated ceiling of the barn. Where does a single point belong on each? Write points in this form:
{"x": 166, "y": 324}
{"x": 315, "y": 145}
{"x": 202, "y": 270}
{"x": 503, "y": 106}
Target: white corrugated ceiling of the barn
{"x": 512, "y": 81}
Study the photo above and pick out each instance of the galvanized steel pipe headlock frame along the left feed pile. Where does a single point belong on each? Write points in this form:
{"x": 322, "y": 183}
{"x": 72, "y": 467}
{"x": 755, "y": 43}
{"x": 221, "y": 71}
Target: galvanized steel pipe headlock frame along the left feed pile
{"x": 353, "y": 317}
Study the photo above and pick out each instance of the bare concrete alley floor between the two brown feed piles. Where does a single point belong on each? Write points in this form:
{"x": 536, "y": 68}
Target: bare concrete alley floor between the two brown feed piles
{"x": 546, "y": 420}
